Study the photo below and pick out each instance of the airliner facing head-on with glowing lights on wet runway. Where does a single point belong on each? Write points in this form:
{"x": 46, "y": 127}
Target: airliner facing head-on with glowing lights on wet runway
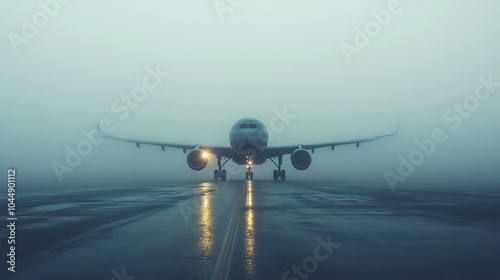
{"x": 248, "y": 146}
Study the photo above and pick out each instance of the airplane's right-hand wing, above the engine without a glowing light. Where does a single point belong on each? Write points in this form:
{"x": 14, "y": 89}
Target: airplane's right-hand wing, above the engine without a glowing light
{"x": 279, "y": 151}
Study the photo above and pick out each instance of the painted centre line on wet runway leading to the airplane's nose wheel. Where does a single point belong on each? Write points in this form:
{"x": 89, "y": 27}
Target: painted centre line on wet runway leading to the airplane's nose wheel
{"x": 225, "y": 257}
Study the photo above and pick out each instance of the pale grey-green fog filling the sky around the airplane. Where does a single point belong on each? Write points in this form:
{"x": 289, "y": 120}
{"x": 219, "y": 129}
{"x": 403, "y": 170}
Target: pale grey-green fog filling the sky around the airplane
{"x": 252, "y": 59}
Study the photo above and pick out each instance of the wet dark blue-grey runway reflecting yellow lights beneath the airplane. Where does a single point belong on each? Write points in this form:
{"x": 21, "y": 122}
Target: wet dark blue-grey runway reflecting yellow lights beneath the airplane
{"x": 255, "y": 230}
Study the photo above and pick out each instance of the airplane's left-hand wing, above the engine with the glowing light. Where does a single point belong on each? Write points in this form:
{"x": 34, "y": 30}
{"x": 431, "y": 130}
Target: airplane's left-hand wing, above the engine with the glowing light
{"x": 221, "y": 151}
